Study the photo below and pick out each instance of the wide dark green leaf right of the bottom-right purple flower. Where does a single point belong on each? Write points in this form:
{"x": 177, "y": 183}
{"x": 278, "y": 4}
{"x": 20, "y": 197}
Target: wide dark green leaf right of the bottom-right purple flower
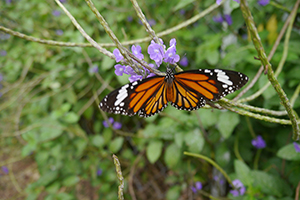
{"x": 270, "y": 184}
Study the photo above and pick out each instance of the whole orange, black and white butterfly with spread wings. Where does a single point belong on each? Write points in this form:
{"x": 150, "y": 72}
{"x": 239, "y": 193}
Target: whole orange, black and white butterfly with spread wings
{"x": 186, "y": 90}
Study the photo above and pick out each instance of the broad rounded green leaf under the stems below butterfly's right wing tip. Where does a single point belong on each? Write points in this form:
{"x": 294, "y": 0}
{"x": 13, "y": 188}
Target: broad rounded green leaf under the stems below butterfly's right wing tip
{"x": 227, "y": 122}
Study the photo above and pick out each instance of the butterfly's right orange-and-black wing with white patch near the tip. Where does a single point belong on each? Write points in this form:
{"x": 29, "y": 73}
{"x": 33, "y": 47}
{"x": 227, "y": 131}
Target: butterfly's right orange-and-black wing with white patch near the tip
{"x": 192, "y": 89}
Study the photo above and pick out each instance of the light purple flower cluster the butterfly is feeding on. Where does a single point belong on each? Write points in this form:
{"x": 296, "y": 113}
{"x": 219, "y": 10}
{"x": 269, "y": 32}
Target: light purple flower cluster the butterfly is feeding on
{"x": 157, "y": 52}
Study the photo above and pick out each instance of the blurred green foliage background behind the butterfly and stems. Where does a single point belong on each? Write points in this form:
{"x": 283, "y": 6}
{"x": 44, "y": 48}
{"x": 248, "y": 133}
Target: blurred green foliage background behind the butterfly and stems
{"x": 50, "y": 118}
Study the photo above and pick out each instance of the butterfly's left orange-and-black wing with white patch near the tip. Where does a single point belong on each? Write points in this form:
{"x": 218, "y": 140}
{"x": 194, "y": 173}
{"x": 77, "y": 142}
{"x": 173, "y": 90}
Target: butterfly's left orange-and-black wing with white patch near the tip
{"x": 145, "y": 97}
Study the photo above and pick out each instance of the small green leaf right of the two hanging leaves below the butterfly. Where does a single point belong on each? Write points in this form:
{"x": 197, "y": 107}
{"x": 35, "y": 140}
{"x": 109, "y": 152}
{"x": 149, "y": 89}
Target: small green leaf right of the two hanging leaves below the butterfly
{"x": 195, "y": 141}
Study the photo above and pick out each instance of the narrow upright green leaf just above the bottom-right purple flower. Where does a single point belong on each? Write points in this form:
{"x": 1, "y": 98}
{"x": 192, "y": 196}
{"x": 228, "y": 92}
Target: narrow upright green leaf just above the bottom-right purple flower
{"x": 243, "y": 172}
